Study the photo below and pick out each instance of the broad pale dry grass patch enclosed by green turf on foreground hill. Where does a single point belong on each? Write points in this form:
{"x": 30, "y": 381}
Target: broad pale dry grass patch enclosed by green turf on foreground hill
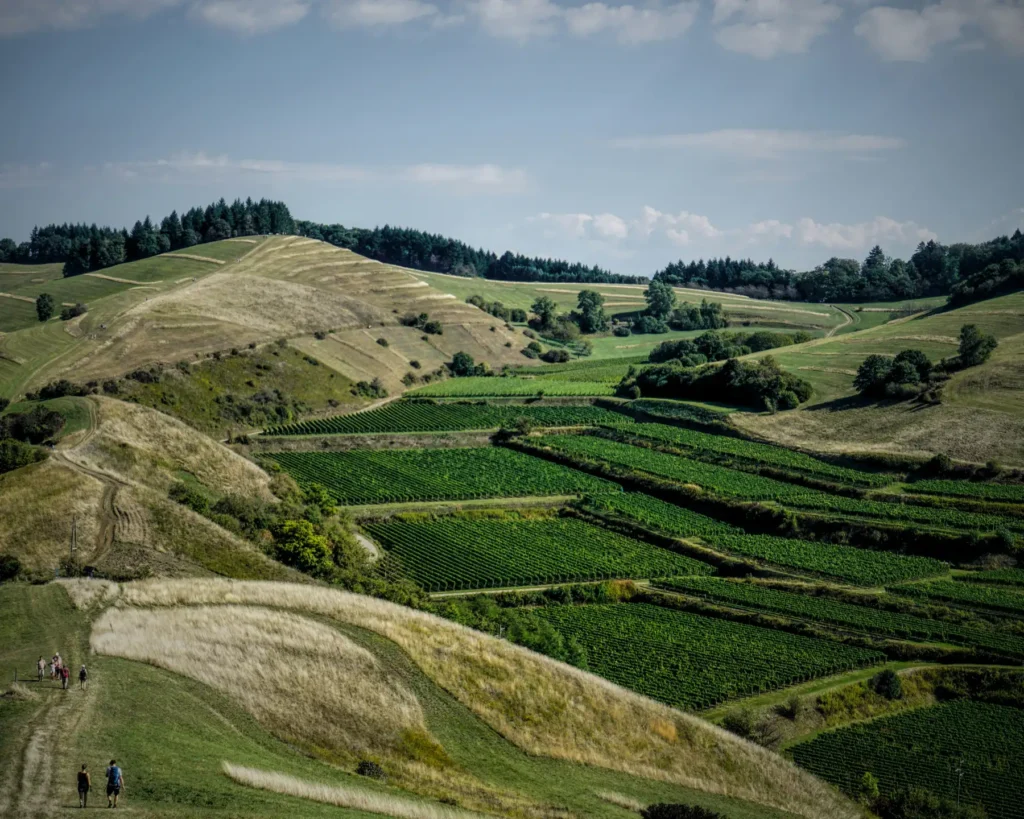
{"x": 306, "y": 681}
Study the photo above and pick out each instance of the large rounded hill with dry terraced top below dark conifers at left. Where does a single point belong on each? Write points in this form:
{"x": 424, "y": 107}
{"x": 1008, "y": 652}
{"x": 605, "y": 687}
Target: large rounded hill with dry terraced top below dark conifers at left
{"x": 232, "y": 294}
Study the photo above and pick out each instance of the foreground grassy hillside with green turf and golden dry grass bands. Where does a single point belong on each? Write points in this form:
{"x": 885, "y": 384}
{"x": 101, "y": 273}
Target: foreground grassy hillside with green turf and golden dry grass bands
{"x": 434, "y": 704}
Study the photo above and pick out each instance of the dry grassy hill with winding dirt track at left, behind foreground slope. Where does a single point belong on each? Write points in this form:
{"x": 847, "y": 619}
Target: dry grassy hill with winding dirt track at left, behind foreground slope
{"x": 111, "y": 482}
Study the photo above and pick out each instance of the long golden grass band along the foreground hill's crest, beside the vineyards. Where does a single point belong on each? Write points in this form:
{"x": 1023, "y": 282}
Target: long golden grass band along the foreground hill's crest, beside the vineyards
{"x": 545, "y": 708}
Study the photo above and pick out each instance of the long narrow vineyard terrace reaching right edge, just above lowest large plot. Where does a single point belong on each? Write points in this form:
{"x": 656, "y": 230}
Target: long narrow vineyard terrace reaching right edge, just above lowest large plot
{"x": 867, "y": 619}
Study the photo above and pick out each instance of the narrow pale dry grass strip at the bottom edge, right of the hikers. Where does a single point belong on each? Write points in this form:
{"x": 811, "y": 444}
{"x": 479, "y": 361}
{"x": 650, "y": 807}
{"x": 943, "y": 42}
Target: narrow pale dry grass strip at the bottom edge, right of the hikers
{"x": 357, "y": 799}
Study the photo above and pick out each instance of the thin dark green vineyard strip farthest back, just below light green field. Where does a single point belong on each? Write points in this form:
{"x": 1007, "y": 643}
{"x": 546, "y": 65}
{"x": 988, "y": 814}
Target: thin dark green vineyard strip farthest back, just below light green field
{"x": 425, "y": 417}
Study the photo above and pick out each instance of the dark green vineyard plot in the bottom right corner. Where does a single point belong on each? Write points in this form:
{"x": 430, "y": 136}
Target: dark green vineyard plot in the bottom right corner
{"x": 923, "y": 749}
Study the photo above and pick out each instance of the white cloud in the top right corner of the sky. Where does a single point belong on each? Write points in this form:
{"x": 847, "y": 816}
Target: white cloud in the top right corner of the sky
{"x": 913, "y": 34}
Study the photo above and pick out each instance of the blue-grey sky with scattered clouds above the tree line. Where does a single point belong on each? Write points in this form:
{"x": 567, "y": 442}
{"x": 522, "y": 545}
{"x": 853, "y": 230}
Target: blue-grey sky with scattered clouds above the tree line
{"x": 622, "y": 135}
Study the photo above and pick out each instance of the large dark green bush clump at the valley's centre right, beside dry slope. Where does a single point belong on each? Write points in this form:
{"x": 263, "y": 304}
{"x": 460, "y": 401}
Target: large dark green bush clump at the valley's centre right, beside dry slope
{"x": 757, "y": 384}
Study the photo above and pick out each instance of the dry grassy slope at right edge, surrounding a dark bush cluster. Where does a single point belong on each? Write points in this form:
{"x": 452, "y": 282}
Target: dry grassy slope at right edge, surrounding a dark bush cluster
{"x": 983, "y": 414}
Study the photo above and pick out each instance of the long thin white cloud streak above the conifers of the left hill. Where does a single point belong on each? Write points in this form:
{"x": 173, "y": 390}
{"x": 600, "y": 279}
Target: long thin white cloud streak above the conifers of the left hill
{"x": 188, "y": 168}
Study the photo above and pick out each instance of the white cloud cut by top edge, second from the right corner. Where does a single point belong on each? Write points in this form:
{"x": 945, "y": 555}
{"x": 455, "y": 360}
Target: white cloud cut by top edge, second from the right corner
{"x": 765, "y": 29}
